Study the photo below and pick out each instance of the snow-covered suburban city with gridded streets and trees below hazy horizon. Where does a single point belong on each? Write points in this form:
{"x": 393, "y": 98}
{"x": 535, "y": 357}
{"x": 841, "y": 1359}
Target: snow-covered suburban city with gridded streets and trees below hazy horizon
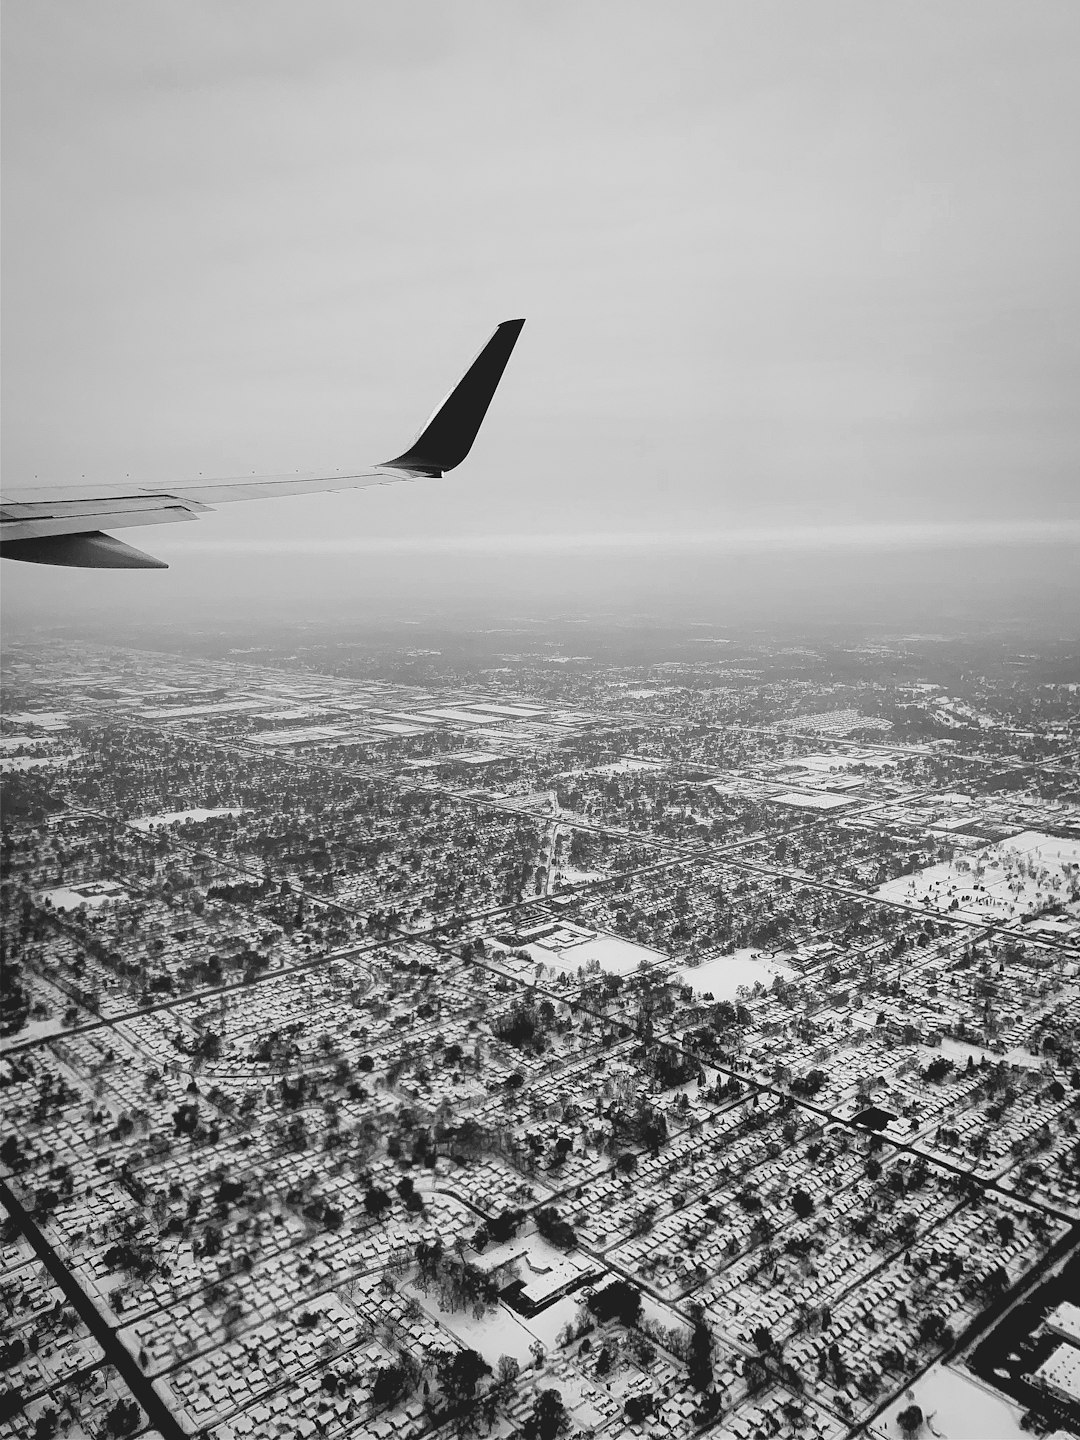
{"x": 541, "y": 1045}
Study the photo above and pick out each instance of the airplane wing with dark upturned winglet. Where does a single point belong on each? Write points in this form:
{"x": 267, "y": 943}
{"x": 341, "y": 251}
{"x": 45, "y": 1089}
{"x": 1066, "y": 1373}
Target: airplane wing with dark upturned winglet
{"x": 68, "y": 526}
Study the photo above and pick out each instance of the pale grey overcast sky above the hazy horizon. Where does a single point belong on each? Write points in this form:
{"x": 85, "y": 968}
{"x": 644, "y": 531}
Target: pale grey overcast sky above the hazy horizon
{"x": 783, "y": 266}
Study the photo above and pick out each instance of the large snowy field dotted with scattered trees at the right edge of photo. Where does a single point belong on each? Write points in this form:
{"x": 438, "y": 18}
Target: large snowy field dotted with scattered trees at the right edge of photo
{"x": 1003, "y": 882}
